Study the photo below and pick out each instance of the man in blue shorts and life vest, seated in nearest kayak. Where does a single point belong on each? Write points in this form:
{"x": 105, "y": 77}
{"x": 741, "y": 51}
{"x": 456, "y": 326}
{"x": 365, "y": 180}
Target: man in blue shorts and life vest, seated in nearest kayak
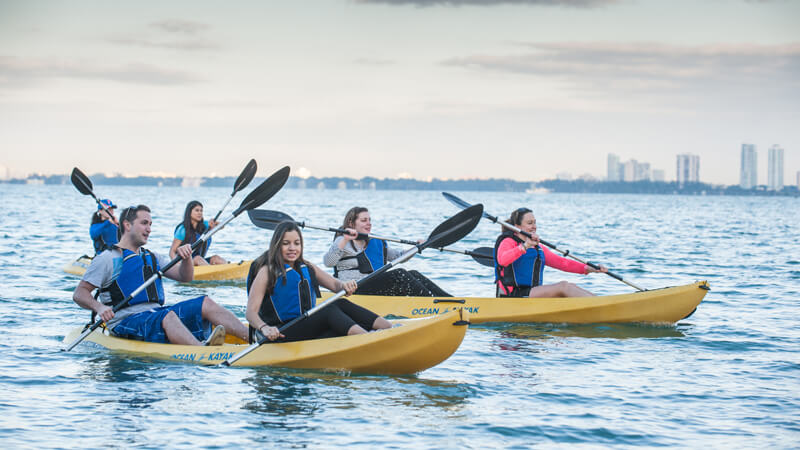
{"x": 119, "y": 271}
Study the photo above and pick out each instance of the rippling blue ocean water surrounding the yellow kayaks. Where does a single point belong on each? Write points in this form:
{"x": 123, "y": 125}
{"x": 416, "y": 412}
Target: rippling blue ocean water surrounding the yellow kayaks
{"x": 728, "y": 376}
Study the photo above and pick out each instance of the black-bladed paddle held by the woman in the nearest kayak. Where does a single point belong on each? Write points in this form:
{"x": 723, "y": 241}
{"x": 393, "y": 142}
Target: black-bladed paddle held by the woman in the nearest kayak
{"x": 448, "y": 232}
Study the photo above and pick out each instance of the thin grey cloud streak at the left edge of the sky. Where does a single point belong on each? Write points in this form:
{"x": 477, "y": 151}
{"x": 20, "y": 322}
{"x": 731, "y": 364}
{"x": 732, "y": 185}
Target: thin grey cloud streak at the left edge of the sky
{"x": 19, "y": 72}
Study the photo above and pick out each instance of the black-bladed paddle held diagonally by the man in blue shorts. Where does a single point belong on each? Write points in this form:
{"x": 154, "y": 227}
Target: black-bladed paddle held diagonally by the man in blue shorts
{"x": 256, "y": 198}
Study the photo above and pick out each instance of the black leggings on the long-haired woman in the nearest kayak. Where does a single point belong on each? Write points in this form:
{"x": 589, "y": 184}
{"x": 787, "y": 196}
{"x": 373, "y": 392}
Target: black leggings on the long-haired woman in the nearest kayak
{"x": 333, "y": 320}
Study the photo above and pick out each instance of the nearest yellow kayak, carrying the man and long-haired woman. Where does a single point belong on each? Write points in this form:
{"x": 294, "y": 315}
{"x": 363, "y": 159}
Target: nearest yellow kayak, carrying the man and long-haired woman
{"x": 414, "y": 346}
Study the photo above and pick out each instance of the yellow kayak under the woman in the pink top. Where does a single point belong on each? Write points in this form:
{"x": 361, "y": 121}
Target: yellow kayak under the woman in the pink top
{"x": 667, "y": 305}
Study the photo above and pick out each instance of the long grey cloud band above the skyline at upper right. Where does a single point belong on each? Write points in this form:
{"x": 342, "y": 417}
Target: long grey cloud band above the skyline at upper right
{"x": 649, "y": 69}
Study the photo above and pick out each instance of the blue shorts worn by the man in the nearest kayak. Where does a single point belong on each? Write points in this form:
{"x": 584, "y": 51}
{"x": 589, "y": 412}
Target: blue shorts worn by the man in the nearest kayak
{"x": 146, "y": 325}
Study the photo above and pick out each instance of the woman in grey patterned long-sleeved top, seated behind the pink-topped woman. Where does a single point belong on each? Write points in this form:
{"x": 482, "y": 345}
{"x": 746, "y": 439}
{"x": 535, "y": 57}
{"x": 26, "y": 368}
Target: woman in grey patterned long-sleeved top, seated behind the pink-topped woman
{"x": 353, "y": 258}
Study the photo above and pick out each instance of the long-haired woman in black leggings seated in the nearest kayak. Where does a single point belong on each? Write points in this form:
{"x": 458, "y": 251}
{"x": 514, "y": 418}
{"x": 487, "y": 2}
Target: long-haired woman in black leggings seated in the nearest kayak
{"x": 282, "y": 286}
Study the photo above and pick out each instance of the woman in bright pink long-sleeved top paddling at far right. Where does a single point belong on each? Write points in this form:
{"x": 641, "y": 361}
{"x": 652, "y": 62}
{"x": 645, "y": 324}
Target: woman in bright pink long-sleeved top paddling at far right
{"x": 519, "y": 263}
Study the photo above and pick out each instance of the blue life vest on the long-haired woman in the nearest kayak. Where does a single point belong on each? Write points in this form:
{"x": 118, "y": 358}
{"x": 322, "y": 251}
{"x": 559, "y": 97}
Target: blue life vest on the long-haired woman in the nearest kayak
{"x": 293, "y": 295}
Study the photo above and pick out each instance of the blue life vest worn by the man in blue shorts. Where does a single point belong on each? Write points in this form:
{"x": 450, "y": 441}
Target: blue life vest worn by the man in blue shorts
{"x": 136, "y": 269}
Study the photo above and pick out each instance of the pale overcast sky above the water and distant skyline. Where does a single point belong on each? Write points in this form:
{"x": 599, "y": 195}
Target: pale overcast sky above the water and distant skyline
{"x": 386, "y": 88}
